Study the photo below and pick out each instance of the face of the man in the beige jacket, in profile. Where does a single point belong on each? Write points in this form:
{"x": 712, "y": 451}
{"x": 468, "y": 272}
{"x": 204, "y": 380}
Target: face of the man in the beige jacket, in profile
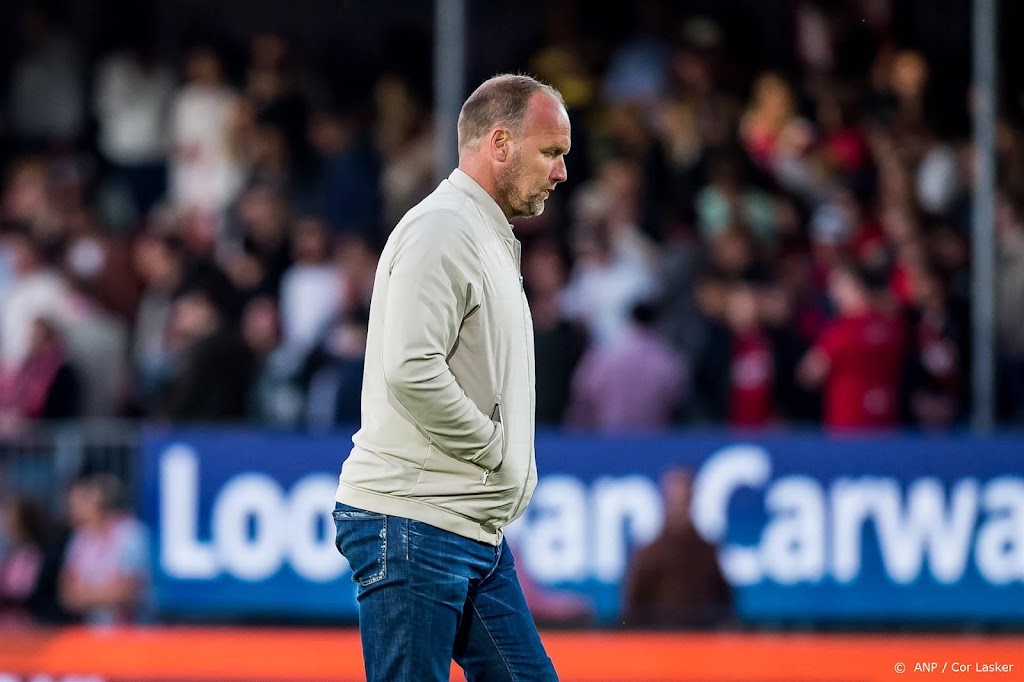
{"x": 537, "y": 160}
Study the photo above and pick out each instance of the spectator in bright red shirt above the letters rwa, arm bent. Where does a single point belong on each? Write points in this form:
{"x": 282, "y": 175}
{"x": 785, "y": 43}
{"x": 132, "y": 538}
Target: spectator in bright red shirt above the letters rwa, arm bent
{"x": 859, "y": 358}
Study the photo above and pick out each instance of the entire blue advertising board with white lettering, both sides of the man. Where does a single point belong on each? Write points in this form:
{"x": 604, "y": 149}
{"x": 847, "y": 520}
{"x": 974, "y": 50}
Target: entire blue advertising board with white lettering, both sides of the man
{"x": 809, "y": 529}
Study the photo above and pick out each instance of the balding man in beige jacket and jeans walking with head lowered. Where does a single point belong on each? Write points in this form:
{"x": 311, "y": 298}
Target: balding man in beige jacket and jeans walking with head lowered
{"x": 445, "y": 457}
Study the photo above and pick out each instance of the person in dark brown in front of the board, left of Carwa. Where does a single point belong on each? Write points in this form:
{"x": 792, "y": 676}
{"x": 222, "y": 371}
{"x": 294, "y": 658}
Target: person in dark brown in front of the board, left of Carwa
{"x": 675, "y": 582}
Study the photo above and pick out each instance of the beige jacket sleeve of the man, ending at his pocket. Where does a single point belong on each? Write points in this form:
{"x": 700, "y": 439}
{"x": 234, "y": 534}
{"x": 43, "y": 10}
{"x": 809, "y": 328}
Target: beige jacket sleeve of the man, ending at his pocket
{"x": 436, "y": 283}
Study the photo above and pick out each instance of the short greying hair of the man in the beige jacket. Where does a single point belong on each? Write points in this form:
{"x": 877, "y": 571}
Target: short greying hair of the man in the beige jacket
{"x": 499, "y": 101}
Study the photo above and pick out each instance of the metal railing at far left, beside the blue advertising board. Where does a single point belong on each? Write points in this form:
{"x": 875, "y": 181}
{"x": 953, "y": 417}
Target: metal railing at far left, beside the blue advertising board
{"x": 42, "y": 459}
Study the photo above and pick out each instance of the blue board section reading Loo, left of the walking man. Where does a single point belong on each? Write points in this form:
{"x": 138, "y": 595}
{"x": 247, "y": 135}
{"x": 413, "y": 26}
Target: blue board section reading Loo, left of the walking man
{"x": 242, "y": 523}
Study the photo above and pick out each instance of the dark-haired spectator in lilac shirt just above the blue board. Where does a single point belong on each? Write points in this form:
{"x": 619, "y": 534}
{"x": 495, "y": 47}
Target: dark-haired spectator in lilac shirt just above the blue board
{"x": 632, "y": 386}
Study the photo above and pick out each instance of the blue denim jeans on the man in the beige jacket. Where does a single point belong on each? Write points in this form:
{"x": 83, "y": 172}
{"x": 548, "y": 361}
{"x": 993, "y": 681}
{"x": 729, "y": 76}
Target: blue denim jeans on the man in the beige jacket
{"x": 428, "y": 596}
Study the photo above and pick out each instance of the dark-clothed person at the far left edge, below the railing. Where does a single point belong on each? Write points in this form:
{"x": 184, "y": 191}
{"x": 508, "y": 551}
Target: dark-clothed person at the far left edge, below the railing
{"x": 29, "y": 569}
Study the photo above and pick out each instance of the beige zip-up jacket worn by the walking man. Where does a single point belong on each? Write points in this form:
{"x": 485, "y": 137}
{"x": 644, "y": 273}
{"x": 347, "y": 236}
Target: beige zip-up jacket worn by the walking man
{"x": 448, "y": 391}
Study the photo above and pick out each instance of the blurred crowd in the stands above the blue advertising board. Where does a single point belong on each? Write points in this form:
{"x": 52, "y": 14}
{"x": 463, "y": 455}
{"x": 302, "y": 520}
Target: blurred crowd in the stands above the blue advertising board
{"x": 737, "y": 245}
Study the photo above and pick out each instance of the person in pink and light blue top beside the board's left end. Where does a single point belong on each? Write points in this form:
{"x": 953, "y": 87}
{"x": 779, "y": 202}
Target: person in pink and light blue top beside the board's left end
{"x": 105, "y": 578}
